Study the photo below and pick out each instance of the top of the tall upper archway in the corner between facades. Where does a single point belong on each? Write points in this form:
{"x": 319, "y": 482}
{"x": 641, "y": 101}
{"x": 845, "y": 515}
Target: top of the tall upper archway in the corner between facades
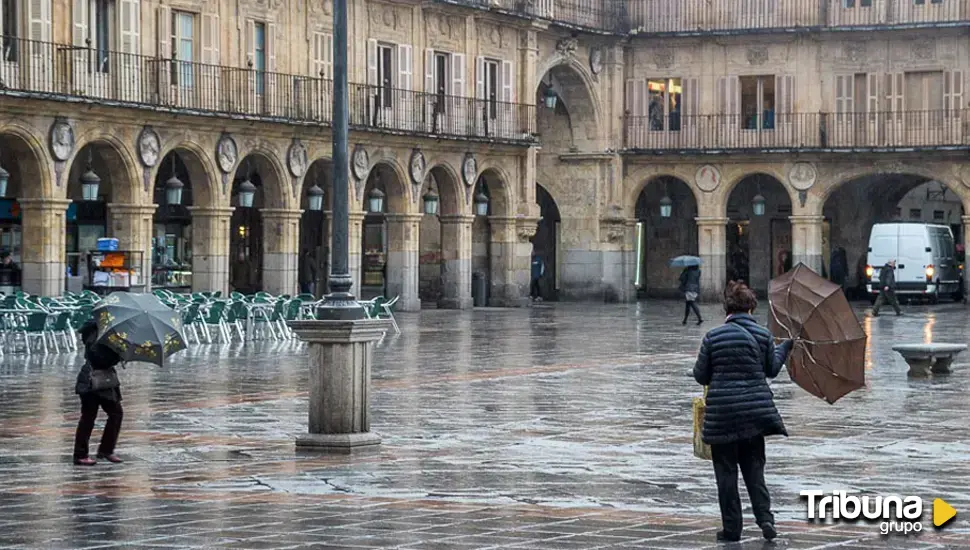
{"x": 574, "y": 73}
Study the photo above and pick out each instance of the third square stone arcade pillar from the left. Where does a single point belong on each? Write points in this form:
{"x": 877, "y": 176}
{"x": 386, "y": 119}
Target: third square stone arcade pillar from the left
{"x": 210, "y": 248}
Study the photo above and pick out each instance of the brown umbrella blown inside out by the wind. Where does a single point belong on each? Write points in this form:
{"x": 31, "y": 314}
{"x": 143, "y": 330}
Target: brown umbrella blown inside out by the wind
{"x": 828, "y": 358}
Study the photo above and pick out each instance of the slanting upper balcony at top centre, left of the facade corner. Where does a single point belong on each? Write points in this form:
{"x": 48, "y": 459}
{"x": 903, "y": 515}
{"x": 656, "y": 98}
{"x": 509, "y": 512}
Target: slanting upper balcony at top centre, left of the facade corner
{"x": 603, "y": 16}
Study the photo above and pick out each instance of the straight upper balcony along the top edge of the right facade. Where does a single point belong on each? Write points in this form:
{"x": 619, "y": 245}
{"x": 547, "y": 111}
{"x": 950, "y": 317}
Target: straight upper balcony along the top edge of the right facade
{"x": 695, "y": 17}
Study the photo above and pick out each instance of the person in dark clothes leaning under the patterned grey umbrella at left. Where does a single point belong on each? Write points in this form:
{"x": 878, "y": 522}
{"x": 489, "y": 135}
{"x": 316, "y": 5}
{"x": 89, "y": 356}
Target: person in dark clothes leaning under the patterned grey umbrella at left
{"x": 97, "y": 357}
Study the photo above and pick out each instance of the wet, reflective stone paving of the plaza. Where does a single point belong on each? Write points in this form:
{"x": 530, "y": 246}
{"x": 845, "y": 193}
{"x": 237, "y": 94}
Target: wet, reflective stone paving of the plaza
{"x": 554, "y": 427}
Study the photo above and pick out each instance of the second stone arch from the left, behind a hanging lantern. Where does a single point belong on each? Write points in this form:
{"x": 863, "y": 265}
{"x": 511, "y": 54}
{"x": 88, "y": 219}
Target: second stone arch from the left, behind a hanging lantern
{"x": 114, "y": 162}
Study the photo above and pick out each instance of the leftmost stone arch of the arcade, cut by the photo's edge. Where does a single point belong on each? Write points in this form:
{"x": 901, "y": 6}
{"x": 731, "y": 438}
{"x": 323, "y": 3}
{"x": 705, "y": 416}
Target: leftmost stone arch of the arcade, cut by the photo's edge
{"x": 20, "y": 142}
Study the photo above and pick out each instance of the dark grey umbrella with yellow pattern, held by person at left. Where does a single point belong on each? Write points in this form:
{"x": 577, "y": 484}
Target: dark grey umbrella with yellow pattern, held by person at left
{"x": 139, "y": 327}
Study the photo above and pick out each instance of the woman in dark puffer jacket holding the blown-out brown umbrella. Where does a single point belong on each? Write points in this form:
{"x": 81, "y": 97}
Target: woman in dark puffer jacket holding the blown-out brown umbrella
{"x": 735, "y": 361}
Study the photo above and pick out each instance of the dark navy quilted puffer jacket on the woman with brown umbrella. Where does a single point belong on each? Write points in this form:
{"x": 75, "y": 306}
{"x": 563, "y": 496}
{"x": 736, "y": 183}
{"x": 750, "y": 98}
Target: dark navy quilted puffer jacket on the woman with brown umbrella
{"x": 740, "y": 404}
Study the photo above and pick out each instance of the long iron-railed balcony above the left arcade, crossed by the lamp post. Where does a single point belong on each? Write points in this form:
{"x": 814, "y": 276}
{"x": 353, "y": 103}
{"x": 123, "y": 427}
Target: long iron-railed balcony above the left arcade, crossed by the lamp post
{"x": 69, "y": 73}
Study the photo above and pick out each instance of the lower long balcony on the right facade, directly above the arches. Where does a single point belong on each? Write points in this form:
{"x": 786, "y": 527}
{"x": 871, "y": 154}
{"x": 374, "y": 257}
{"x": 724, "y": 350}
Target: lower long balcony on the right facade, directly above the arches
{"x": 877, "y": 131}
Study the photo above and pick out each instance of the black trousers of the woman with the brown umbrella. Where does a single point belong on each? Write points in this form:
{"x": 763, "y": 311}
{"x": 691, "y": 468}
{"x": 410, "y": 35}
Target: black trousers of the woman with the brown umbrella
{"x": 749, "y": 455}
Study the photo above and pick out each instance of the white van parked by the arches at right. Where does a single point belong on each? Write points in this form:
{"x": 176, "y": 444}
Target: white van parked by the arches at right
{"x": 926, "y": 263}
